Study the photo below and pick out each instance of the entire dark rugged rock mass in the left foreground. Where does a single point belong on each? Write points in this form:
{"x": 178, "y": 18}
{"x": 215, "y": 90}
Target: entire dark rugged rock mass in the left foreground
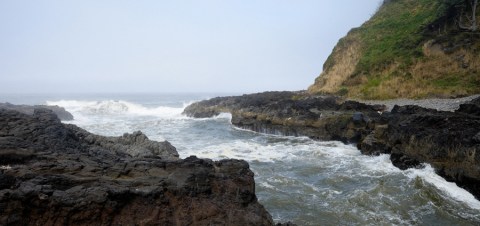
{"x": 56, "y": 174}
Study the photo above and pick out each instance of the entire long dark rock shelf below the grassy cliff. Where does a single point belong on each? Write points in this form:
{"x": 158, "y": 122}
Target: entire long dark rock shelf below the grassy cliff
{"x": 448, "y": 140}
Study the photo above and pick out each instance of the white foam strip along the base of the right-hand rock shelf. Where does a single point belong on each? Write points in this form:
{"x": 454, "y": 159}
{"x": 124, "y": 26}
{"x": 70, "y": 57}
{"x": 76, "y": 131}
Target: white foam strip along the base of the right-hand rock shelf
{"x": 342, "y": 157}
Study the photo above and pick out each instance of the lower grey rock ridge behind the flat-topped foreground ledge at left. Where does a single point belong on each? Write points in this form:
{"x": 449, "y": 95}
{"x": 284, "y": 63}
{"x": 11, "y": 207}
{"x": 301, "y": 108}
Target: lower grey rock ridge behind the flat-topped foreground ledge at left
{"x": 44, "y": 131}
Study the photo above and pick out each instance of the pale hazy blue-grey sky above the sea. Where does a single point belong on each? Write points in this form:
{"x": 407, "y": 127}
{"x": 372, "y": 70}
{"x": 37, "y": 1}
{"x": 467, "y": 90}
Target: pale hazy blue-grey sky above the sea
{"x": 241, "y": 46}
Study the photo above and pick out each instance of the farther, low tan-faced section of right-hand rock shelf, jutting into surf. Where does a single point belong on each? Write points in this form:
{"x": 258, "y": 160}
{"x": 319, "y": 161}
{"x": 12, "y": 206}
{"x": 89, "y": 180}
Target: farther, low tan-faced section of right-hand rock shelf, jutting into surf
{"x": 294, "y": 113}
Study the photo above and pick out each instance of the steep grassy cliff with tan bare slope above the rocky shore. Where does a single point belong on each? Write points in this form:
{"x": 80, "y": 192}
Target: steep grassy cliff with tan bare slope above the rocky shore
{"x": 409, "y": 48}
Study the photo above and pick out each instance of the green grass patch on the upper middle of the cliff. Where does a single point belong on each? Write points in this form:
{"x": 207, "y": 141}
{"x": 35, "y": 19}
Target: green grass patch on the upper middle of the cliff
{"x": 394, "y": 35}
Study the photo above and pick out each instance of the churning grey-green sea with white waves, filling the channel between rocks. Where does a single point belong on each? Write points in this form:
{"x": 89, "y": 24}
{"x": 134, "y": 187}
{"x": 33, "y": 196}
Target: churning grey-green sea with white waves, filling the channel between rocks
{"x": 297, "y": 179}
